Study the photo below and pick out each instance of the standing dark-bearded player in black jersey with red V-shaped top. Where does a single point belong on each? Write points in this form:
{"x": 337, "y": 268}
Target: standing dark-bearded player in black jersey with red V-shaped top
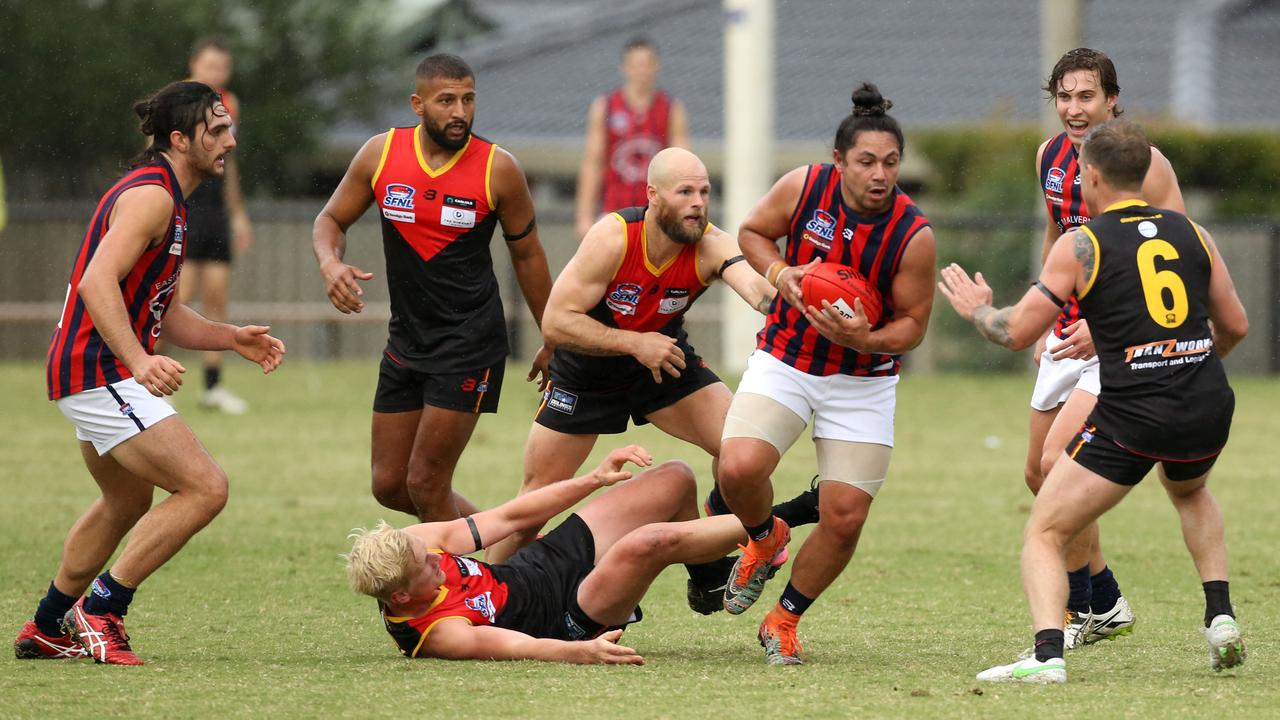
{"x": 441, "y": 192}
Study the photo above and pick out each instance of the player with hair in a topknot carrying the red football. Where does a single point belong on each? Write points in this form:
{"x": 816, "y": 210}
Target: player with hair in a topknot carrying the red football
{"x": 812, "y": 362}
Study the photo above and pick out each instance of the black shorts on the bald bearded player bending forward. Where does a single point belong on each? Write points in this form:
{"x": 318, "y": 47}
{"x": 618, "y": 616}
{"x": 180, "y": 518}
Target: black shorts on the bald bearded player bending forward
{"x": 570, "y": 408}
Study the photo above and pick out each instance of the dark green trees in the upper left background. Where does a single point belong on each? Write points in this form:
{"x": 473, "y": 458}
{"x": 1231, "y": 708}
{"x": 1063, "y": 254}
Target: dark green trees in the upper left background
{"x": 71, "y": 75}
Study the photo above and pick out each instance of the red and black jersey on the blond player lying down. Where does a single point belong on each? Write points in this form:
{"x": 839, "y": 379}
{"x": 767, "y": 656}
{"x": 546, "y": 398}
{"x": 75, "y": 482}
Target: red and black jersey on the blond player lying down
{"x": 470, "y": 593}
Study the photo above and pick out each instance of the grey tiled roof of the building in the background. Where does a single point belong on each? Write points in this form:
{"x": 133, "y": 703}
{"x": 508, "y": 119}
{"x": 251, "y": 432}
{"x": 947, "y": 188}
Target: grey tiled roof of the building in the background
{"x": 941, "y": 62}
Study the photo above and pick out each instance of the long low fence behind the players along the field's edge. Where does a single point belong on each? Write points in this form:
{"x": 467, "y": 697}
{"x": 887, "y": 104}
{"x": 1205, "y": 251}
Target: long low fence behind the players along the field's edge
{"x": 277, "y": 282}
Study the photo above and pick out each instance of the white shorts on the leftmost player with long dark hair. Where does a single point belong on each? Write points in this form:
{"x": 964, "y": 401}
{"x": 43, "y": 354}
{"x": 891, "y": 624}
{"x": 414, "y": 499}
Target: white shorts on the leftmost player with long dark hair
{"x": 112, "y": 414}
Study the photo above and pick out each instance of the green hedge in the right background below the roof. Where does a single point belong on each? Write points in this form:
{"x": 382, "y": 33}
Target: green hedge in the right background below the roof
{"x": 991, "y": 170}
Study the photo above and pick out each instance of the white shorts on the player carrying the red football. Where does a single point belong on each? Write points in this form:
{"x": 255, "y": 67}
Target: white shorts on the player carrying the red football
{"x": 844, "y": 408}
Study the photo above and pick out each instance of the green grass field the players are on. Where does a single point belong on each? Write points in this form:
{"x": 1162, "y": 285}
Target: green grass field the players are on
{"x": 254, "y": 618}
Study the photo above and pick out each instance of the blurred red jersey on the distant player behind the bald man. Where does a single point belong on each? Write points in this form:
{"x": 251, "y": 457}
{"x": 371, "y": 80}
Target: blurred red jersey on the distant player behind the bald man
{"x": 632, "y": 139}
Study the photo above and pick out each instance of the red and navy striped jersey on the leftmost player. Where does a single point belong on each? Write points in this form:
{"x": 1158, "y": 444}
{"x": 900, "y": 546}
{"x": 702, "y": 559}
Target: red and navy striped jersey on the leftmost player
{"x": 79, "y": 358}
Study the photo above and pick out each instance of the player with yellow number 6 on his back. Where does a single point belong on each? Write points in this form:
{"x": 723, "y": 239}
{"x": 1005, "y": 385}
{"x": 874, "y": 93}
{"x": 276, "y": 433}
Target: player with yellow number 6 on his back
{"x": 1164, "y": 313}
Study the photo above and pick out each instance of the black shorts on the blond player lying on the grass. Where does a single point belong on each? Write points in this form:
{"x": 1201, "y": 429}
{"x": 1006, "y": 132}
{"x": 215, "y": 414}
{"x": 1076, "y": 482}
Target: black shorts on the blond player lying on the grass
{"x": 543, "y": 581}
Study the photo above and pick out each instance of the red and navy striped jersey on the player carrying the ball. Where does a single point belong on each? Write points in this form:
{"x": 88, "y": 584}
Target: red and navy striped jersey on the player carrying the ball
{"x": 822, "y": 226}
